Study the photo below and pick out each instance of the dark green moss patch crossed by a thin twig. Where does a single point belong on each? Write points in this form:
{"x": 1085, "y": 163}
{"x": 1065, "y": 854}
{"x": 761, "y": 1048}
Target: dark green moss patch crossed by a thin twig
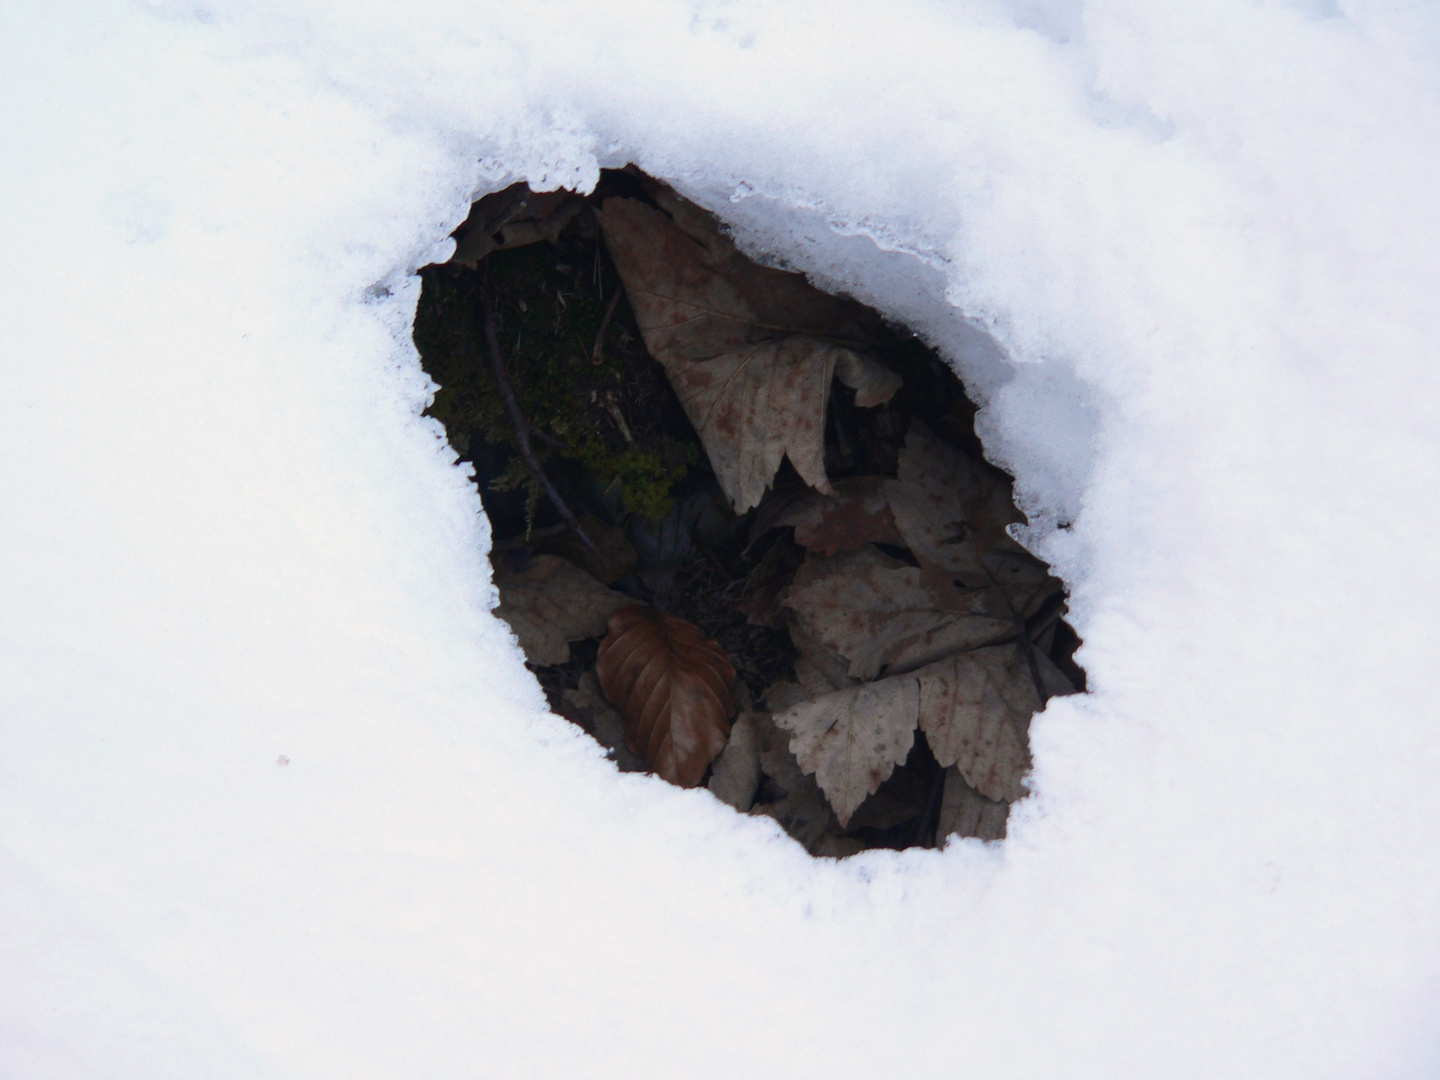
{"x": 616, "y": 417}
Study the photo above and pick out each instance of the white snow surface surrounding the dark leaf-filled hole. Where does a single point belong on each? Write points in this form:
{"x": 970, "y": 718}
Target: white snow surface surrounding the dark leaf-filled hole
{"x": 1187, "y": 256}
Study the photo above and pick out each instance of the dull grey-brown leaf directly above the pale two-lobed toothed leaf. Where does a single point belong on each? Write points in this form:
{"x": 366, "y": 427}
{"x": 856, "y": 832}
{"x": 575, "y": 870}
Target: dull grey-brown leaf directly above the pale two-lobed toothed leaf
{"x": 879, "y": 614}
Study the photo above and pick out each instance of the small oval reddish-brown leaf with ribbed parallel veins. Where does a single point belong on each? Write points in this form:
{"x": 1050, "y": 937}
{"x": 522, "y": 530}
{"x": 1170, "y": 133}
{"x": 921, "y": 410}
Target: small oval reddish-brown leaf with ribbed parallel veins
{"x": 673, "y": 688}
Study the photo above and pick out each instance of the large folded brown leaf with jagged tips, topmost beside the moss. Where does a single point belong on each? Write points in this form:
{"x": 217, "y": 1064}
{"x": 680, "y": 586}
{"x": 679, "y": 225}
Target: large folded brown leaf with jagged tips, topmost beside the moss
{"x": 751, "y": 351}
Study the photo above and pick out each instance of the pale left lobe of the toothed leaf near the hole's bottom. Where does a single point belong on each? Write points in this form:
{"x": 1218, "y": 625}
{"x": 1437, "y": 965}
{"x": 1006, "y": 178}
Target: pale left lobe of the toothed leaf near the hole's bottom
{"x": 853, "y": 739}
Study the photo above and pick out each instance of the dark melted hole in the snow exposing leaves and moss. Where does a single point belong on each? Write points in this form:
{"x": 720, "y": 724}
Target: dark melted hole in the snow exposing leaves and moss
{"x": 744, "y": 531}
